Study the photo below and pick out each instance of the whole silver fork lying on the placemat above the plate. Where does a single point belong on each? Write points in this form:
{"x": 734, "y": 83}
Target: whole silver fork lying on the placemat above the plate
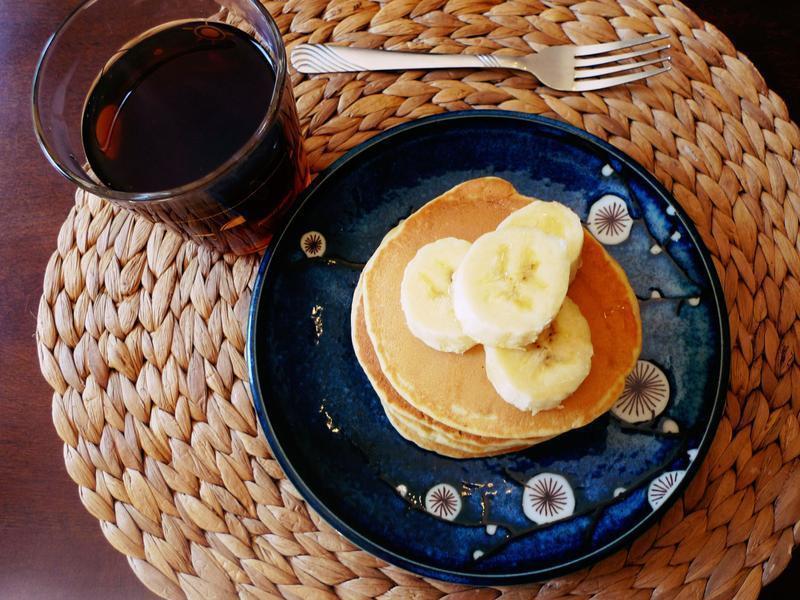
{"x": 565, "y": 68}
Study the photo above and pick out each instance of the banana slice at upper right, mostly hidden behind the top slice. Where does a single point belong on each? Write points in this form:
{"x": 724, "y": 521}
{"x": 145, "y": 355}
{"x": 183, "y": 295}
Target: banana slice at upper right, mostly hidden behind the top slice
{"x": 553, "y": 218}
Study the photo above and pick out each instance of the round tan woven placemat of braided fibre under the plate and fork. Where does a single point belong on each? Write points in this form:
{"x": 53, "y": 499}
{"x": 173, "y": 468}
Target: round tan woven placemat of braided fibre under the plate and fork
{"x": 141, "y": 334}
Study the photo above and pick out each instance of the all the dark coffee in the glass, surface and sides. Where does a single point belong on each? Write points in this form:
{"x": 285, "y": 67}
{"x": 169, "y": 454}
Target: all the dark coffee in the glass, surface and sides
{"x": 176, "y": 105}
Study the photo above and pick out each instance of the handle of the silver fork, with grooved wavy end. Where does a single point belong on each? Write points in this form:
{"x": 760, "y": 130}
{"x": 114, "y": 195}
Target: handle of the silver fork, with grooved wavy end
{"x": 324, "y": 58}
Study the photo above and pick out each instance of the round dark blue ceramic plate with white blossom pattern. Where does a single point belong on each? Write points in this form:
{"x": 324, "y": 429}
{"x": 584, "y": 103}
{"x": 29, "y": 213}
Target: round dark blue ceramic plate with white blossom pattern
{"x": 522, "y": 516}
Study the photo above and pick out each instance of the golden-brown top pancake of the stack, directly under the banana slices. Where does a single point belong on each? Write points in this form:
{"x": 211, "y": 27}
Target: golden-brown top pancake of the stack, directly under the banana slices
{"x": 453, "y": 389}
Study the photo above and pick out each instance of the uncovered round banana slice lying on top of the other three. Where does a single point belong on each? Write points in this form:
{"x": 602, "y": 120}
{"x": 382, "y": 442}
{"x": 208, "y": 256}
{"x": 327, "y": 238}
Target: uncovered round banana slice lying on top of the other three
{"x": 510, "y": 285}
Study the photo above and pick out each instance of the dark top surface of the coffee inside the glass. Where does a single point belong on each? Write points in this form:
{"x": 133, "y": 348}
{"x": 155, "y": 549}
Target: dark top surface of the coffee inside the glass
{"x": 175, "y": 106}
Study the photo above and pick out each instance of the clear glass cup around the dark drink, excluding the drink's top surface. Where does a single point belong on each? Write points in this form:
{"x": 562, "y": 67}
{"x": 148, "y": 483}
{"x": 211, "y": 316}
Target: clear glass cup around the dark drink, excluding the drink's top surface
{"x": 238, "y": 205}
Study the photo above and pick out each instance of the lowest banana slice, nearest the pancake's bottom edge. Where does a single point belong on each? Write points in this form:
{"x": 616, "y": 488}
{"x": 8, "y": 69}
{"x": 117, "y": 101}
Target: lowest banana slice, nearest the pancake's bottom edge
{"x": 546, "y": 372}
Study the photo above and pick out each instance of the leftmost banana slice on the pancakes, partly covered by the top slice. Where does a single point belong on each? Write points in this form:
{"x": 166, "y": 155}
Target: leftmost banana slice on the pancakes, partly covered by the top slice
{"x": 425, "y": 295}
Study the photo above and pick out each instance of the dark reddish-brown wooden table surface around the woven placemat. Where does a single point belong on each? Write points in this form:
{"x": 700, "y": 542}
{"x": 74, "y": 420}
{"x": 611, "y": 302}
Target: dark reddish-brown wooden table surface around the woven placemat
{"x": 50, "y": 547}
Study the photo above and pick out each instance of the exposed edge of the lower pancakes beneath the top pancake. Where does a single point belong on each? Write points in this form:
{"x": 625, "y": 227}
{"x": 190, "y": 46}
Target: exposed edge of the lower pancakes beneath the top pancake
{"x": 410, "y": 422}
